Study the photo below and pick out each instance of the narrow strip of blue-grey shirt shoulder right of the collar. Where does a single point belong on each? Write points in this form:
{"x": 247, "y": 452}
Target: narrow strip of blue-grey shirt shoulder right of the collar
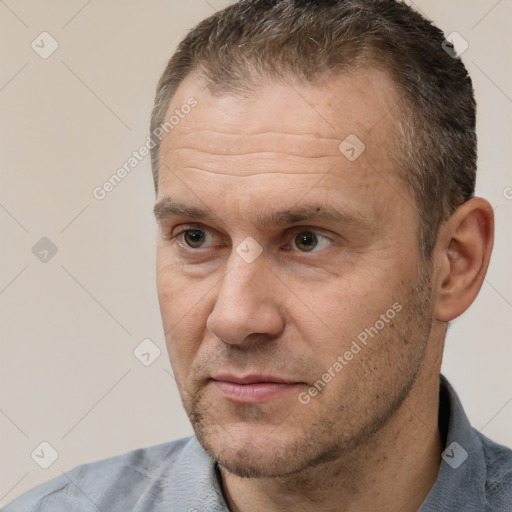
{"x": 498, "y": 481}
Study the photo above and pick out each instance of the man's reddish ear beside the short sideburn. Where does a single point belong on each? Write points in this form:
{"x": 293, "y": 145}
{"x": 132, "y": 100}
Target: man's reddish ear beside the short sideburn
{"x": 462, "y": 253}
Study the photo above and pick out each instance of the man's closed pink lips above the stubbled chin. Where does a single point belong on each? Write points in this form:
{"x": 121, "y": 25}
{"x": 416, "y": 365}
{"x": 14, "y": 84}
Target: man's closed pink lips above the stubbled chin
{"x": 253, "y": 389}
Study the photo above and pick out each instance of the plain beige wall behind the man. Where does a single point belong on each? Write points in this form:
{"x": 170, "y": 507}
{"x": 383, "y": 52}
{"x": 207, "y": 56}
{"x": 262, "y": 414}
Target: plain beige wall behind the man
{"x": 69, "y": 325}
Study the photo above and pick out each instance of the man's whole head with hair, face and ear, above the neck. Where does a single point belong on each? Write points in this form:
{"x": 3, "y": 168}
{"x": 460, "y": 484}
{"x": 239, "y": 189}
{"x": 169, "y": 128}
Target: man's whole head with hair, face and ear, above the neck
{"x": 308, "y": 206}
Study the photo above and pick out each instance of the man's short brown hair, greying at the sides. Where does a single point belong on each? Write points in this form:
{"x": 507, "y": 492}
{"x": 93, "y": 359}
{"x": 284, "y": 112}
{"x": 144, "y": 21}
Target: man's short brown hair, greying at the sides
{"x": 259, "y": 41}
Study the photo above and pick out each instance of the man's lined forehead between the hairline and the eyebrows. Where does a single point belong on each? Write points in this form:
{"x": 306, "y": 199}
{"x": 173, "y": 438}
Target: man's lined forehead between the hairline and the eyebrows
{"x": 281, "y": 132}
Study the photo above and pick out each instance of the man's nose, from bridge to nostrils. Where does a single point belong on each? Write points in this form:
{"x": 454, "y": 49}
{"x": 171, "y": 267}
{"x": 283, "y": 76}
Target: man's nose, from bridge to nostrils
{"x": 247, "y": 303}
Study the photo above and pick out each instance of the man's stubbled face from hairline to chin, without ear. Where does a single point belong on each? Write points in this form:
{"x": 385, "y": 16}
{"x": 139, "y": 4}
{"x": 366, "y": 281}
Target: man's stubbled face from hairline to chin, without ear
{"x": 257, "y": 314}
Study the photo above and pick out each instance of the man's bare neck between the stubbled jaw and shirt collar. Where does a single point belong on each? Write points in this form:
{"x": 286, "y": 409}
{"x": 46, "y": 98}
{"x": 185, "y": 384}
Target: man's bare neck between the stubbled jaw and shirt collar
{"x": 394, "y": 470}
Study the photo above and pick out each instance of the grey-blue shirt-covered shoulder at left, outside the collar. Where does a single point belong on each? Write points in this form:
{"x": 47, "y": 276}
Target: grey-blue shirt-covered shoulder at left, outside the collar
{"x": 111, "y": 484}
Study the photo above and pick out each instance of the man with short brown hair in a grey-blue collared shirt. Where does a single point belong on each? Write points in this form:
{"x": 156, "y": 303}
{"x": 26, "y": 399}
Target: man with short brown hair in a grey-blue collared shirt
{"x": 314, "y": 164}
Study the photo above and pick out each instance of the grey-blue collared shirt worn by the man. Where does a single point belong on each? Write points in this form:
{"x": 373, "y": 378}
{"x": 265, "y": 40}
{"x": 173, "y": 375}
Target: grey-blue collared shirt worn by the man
{"x": 475, "y": 476}
